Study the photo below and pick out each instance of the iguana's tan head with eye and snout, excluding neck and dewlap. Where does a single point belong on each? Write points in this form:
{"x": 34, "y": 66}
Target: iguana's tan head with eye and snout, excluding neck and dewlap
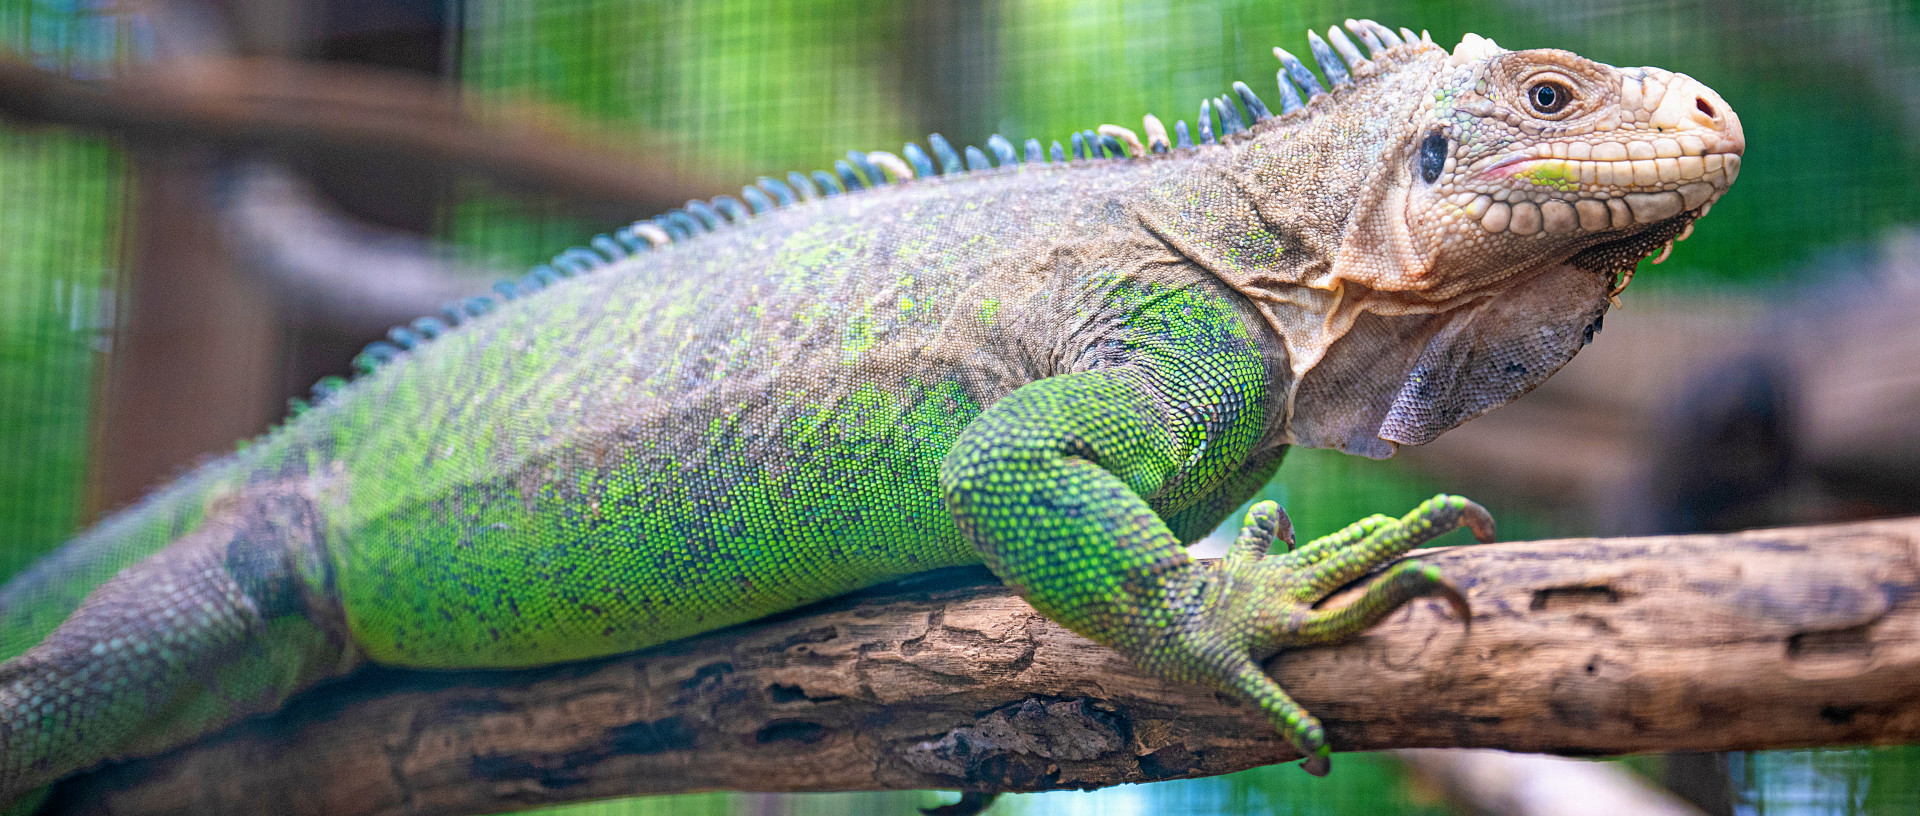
{"x": 1525, "y": 156}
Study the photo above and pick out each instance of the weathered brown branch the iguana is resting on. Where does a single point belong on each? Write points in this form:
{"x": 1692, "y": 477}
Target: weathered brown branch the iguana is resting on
{"x": 1775, "y": 638}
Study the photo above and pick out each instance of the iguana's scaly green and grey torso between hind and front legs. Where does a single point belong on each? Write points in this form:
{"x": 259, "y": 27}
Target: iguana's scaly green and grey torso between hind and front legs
{"x": 709, "y": 433}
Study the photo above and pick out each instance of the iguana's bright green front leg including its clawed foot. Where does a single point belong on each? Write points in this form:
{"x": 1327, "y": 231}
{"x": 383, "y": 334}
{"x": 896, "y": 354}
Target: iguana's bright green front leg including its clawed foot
{"x": 1055, "y": 485}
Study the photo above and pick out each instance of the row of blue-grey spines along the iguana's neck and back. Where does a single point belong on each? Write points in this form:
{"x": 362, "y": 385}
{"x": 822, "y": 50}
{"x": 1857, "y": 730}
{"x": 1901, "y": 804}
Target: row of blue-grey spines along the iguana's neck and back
{"x": 1335, "y": 55}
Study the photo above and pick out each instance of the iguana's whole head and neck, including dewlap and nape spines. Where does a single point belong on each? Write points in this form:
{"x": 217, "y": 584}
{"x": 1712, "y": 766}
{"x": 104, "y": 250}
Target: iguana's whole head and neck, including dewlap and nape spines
{"x": 1431, "y": 233}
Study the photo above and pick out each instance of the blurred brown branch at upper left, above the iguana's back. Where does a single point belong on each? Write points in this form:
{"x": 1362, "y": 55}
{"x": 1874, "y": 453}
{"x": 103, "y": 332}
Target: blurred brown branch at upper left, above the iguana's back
{"x": 347, "y": 112}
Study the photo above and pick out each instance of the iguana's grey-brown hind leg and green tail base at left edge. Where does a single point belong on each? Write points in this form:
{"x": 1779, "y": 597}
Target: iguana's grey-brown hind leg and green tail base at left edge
{"x": 178, "y": 617}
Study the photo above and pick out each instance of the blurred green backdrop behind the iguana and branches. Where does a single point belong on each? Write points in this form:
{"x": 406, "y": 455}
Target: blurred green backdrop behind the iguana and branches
{"x": 736, "y": 89}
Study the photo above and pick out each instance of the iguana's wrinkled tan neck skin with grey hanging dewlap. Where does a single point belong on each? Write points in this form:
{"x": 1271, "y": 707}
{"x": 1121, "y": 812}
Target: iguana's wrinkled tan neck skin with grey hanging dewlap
{"x": 1276, "y": 210}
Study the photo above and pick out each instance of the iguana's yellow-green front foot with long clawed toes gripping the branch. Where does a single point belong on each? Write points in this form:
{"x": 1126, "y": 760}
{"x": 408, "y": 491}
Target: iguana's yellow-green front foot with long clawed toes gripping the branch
{"x": 1260, "y": 604}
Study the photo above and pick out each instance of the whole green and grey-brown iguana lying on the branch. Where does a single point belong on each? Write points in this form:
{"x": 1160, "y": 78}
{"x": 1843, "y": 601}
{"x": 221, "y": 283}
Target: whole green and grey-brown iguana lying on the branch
{"x": 1059, "y": 368}
